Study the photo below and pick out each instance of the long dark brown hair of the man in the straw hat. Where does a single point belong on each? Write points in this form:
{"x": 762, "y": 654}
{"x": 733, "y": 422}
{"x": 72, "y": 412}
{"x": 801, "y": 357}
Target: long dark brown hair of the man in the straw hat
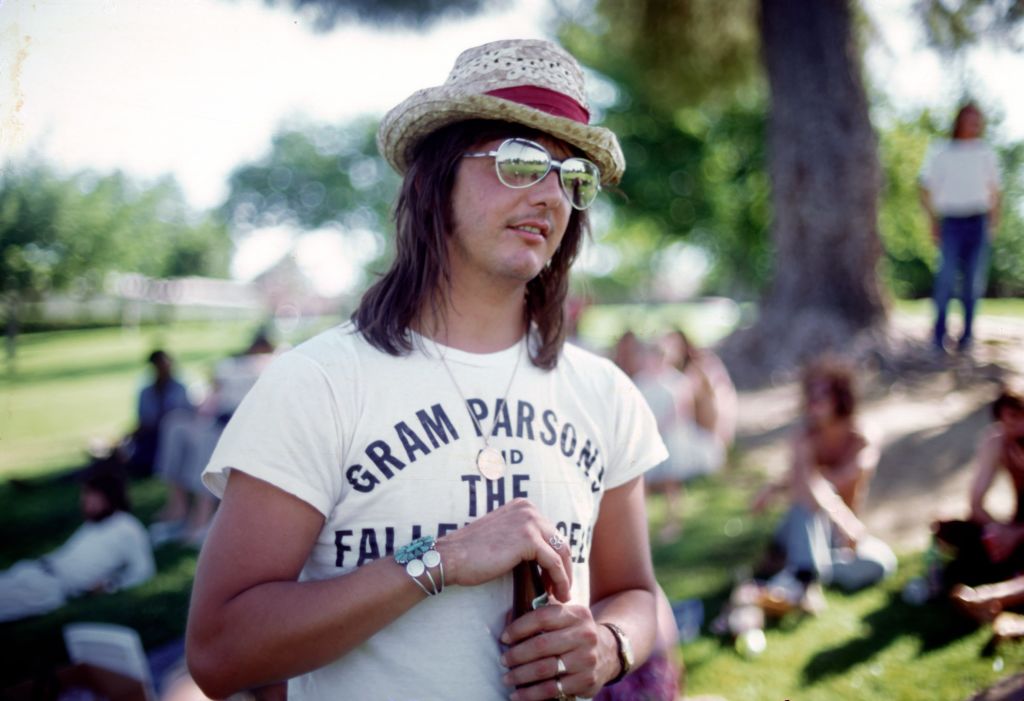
{"x": 420, "y": 273}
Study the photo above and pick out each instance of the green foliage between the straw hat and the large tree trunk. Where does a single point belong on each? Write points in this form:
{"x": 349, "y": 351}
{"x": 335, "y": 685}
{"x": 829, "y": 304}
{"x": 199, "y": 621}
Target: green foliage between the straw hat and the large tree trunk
{"x": 690, "y": 112}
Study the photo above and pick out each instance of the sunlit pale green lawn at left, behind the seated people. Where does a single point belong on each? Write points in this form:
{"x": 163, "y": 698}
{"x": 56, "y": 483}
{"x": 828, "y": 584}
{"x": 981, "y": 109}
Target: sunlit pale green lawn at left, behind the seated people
{"x": 71, "y": 388}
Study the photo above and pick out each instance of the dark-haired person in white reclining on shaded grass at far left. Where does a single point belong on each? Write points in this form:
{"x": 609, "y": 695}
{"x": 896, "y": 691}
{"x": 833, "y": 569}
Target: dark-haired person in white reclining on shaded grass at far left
{"x": 108, "y": 553}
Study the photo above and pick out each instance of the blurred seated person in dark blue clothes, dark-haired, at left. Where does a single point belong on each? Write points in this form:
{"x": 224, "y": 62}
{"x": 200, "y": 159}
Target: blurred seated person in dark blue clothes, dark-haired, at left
{"x": 163, "y": 397}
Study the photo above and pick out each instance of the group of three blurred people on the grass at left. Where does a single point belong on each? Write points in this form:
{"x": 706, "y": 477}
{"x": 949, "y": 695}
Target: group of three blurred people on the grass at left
{"x": 173, "y": 441}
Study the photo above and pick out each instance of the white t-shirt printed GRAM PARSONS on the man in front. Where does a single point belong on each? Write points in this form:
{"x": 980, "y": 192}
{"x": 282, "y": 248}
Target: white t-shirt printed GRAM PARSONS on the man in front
{"x": 385, "y": 448}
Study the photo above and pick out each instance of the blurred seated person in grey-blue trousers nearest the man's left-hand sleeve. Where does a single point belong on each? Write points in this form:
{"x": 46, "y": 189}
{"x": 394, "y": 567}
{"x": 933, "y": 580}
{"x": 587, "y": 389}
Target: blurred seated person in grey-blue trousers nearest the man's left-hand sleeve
{"x": 190, "y": 441}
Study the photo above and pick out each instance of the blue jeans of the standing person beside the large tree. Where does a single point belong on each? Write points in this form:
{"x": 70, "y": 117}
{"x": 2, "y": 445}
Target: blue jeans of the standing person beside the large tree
{"x": 965, "y": 253}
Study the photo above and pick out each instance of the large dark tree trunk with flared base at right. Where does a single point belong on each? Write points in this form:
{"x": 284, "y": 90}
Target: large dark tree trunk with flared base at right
{"x": 826, "y": 180}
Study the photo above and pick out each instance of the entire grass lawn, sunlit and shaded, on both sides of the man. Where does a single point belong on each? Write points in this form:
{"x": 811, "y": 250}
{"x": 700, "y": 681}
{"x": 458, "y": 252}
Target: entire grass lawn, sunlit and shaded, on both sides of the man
{"x": 72, "y": 386}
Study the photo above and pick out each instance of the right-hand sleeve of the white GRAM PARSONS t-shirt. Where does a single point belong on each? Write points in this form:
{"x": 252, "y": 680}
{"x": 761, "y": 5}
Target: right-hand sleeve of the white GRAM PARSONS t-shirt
{"x": 637, "y": 447}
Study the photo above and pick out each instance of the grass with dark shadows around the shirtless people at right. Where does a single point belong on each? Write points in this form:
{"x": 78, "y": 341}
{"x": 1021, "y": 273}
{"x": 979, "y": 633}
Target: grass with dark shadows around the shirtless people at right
{"x": 871, "y": 645}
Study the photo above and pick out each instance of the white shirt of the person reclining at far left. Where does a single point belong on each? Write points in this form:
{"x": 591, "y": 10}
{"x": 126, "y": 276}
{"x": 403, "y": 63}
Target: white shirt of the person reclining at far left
{"x": 112, "y": 555}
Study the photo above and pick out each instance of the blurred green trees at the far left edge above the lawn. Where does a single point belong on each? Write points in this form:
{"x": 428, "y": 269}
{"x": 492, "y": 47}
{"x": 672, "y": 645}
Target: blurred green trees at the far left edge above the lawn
{"x": 60, "y": 233}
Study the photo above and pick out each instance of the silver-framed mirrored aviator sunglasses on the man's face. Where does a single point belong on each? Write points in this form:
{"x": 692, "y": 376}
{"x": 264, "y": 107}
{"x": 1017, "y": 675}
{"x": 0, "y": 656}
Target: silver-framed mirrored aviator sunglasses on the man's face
{"x": 522, "y": 163}
